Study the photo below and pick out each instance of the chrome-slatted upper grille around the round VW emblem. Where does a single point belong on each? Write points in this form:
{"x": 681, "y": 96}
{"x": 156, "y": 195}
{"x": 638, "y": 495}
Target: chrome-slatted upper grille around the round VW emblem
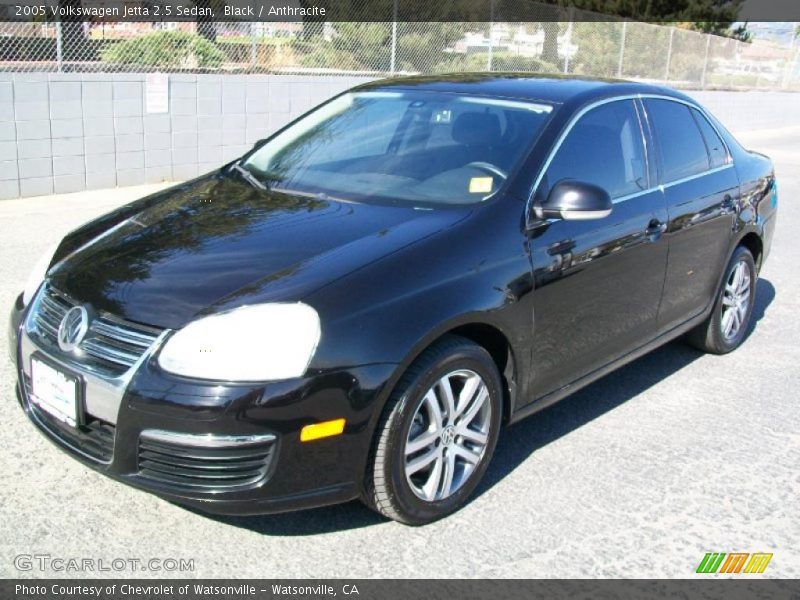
{"x": 111, "y": 346}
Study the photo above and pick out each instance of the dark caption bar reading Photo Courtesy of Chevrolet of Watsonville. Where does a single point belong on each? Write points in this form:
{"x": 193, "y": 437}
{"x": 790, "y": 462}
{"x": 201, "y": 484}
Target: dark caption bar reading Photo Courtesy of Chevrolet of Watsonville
{"x": 704, "y": 586}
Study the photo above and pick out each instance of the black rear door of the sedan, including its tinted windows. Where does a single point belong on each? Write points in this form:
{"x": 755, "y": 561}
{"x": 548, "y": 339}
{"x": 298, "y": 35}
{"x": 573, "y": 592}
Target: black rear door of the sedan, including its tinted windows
{"x": 701, "y": 190}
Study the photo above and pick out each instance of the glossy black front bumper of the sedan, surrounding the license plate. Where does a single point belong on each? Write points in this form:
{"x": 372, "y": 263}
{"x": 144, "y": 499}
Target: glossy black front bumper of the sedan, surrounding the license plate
{"x": 220, "y": 447}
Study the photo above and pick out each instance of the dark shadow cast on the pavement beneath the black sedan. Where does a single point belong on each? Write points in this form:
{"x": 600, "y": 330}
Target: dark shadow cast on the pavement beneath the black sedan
{"x": 519, "y": 441}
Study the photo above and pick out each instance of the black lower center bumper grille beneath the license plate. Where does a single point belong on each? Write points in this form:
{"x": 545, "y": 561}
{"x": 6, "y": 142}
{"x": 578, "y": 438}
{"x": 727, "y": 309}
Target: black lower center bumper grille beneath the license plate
{"x": 94, "y": 439}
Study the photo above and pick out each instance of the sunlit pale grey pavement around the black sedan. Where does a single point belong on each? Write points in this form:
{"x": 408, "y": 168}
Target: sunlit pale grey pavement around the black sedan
{"x": 637, "y": 475}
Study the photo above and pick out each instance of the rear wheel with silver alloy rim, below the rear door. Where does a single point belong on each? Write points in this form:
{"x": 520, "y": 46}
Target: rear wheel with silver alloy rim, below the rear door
{"x": 727, "y": 326}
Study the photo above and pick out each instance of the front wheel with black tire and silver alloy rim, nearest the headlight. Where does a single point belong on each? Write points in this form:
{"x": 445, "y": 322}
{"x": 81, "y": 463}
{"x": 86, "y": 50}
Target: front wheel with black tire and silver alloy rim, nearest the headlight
{"x": 436, "y": 434}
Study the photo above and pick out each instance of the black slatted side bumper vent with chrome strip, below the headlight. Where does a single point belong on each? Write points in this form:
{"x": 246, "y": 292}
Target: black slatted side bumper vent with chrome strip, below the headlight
{"x": 204, "y": 468}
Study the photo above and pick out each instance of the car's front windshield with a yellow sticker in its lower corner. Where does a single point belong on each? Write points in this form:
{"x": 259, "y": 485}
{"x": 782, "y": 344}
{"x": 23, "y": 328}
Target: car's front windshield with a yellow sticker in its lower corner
{"x": 404, "y": 145}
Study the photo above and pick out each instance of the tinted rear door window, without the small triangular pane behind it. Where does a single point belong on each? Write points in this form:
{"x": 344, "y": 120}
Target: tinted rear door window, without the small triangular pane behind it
{"x": 683, "y": 151}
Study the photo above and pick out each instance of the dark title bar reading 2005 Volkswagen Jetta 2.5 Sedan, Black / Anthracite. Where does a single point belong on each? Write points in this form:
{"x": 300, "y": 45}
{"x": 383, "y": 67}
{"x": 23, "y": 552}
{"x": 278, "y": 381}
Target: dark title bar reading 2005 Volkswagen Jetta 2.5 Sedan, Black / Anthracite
{"x": 725, "y": 11}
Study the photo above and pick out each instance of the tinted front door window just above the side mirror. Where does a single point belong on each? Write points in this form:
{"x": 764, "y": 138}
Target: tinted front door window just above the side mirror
{"x": 604, "y": 148}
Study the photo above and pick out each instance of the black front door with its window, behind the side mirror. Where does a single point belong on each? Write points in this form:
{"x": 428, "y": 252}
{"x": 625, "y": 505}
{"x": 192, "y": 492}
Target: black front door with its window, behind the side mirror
{"x": 598, "y": 282}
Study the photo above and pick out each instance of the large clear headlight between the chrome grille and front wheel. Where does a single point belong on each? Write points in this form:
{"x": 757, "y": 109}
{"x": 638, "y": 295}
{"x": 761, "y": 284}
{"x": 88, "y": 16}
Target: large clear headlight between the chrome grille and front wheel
{"x": 254, "y": 343}
